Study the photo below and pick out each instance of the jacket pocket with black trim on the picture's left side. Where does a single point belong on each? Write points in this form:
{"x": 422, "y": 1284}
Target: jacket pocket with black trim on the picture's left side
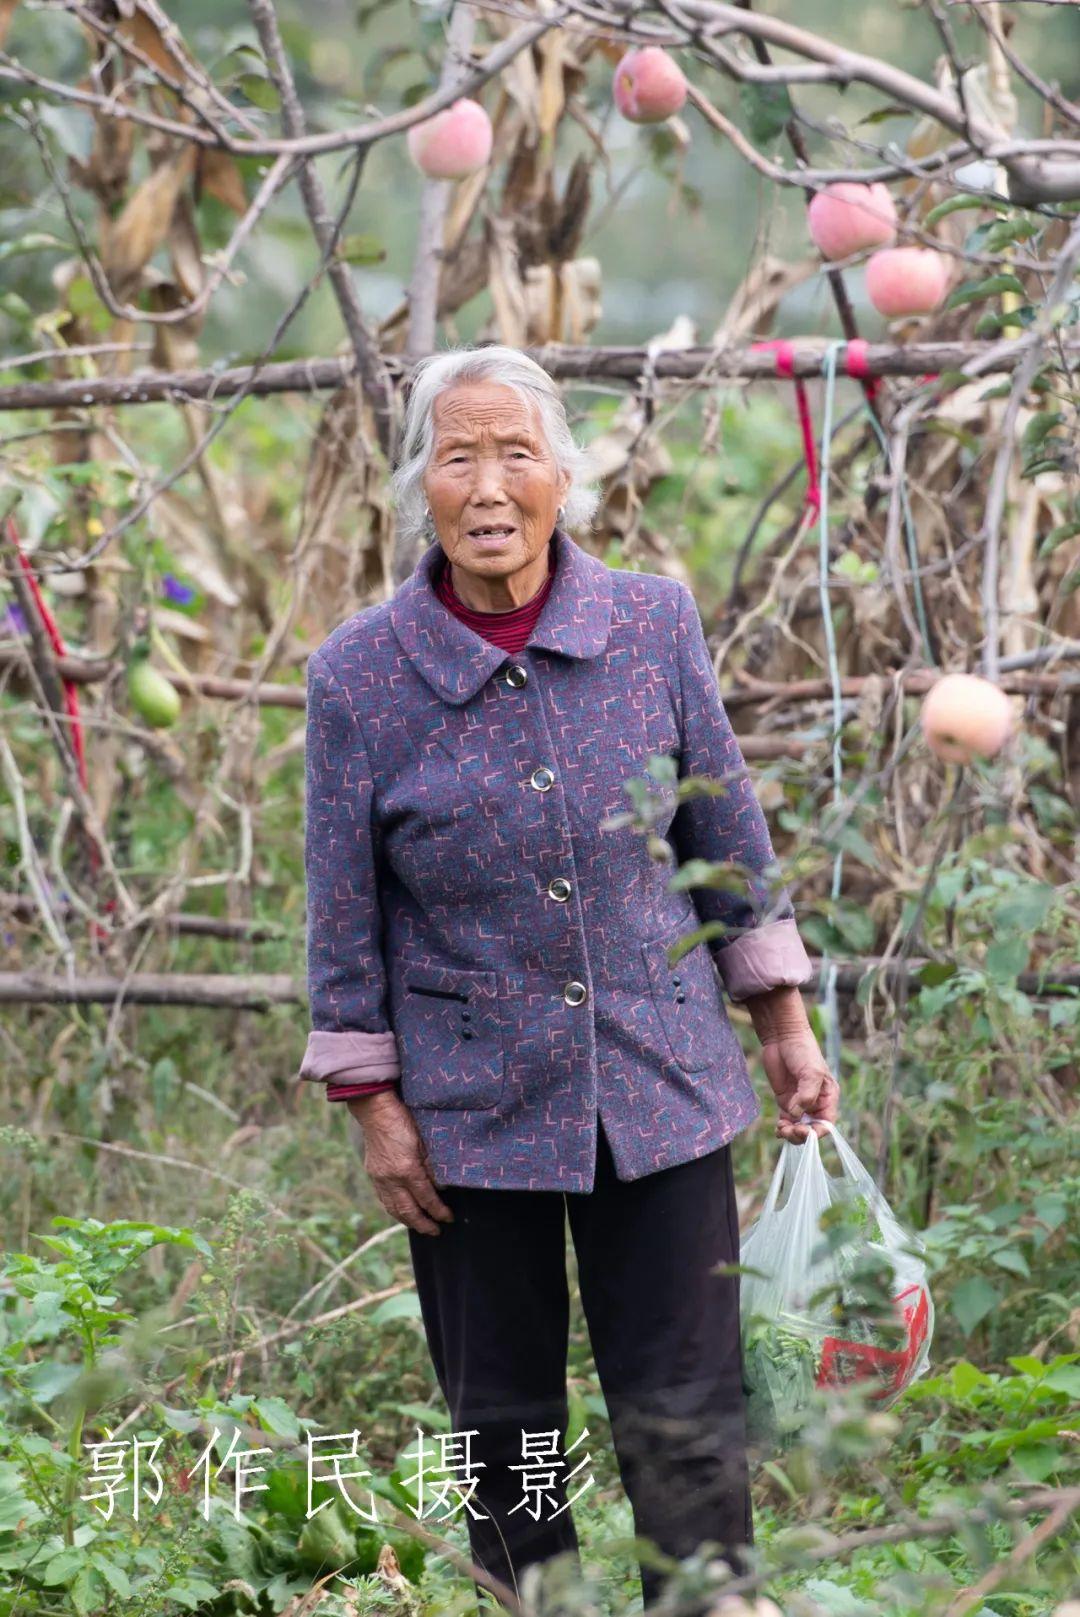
{"x": 450, "y": 1037}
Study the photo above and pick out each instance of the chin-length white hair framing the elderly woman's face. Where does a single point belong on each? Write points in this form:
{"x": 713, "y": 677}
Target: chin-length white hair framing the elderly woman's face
{"x": 494, "y": 363}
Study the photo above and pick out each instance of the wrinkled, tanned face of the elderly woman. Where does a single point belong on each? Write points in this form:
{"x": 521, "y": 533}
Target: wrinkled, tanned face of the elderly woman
{"x": 492, "y": 468}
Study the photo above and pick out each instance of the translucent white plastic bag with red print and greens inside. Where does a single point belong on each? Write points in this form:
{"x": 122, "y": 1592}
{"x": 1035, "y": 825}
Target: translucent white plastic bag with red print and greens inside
{"x": 795, "y": 1336}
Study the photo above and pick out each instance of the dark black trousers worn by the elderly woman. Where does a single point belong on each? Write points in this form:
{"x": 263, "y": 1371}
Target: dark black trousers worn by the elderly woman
{"x": 665, "y": 1338}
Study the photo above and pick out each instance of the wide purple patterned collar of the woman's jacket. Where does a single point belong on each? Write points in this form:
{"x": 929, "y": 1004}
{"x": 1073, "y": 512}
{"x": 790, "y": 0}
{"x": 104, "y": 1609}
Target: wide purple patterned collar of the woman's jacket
{"x": 455, "y": 661}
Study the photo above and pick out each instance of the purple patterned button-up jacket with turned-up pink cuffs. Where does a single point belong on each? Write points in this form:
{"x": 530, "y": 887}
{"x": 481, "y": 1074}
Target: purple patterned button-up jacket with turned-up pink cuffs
{"x": 479, "y": 932}
